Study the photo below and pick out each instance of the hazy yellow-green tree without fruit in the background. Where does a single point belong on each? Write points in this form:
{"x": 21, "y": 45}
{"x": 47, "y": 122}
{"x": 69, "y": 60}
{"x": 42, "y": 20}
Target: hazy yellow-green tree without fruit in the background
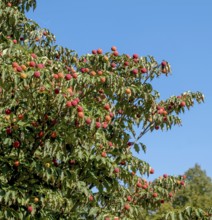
{"x": 197, "y": 193}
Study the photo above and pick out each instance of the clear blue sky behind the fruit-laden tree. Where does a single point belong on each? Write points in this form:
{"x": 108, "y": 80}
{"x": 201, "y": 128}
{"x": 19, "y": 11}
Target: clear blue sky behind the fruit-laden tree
{"x": 179, "y": 31}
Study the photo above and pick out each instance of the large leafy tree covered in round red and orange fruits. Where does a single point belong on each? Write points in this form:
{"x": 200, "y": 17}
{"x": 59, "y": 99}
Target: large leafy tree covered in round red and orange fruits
{"x": 67, "y": 126}
